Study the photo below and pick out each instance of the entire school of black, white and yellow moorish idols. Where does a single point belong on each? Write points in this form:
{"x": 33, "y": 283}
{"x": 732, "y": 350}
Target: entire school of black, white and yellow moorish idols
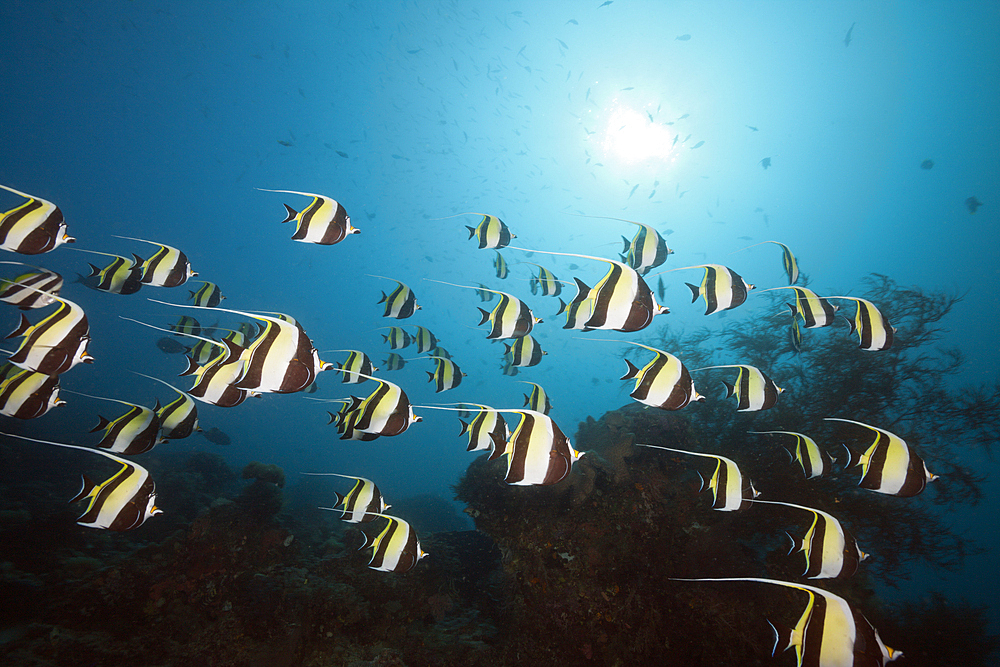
{"x": 272, "y": 353}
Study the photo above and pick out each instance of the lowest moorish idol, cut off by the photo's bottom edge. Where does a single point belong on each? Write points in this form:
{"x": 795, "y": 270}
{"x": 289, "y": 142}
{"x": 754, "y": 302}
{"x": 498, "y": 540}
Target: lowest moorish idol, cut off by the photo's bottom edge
{"x": 829, "y": 633}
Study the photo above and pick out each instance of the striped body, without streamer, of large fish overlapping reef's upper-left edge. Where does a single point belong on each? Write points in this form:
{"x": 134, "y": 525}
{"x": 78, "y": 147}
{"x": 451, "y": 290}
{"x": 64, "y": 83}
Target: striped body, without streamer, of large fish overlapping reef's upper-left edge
{"x": 538, "y": 452}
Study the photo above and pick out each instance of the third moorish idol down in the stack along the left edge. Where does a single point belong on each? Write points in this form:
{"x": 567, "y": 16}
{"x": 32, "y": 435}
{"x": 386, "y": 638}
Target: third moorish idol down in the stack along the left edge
{"x": 57, "y": 343}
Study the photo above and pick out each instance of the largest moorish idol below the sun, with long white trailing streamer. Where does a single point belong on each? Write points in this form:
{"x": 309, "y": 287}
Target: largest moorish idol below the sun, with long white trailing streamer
{"x": 621, "y": 300}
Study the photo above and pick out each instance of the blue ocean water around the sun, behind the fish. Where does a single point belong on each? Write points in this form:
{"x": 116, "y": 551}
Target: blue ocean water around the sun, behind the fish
{"x": 160, "y": 120}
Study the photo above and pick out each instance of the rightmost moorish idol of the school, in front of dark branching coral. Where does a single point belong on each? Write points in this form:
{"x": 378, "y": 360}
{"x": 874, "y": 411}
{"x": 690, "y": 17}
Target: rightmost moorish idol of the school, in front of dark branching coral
{"x": 889, "y": 465}
